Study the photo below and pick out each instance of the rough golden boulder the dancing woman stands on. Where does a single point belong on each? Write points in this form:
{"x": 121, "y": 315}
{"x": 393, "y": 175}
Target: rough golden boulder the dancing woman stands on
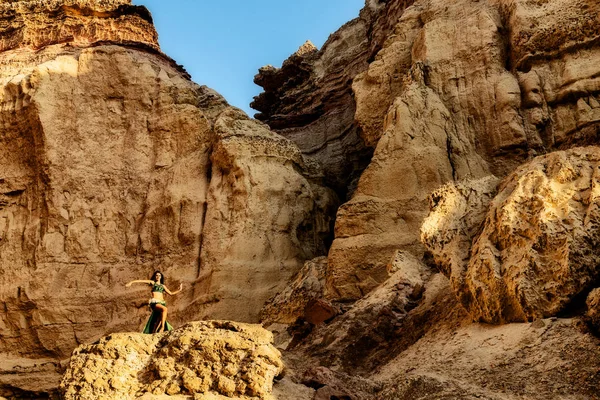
{"x": 215, "y": 359}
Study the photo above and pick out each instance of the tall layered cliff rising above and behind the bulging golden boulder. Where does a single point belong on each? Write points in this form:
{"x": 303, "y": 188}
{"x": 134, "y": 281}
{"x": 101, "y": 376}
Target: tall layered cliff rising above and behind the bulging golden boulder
{"x": 451, "y": 92}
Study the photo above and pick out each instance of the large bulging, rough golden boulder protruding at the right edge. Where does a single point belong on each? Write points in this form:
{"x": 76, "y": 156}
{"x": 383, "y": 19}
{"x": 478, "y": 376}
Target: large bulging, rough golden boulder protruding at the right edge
{"x": 537, "y": 248}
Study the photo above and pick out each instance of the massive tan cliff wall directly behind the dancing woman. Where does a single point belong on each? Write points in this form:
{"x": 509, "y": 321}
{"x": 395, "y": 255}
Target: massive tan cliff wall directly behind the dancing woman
{"x": 114, "y": 164}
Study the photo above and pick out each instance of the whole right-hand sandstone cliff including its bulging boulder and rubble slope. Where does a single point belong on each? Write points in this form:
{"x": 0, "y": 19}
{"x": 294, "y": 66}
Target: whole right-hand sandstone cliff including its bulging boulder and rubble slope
{"x": 463, "y": 100}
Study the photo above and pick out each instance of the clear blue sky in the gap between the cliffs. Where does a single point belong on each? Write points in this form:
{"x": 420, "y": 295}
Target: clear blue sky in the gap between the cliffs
{"x": 223, "y": 43}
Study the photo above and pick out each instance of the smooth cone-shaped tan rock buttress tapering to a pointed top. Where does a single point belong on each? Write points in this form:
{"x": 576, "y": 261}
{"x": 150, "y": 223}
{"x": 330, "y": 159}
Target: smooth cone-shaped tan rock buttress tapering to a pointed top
{"x": 386, "y": 210}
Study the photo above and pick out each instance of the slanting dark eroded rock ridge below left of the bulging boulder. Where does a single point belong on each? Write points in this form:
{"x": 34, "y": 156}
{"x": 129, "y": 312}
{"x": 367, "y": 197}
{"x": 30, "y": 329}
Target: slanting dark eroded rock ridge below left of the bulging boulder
{"x": 383, "y": 323}
